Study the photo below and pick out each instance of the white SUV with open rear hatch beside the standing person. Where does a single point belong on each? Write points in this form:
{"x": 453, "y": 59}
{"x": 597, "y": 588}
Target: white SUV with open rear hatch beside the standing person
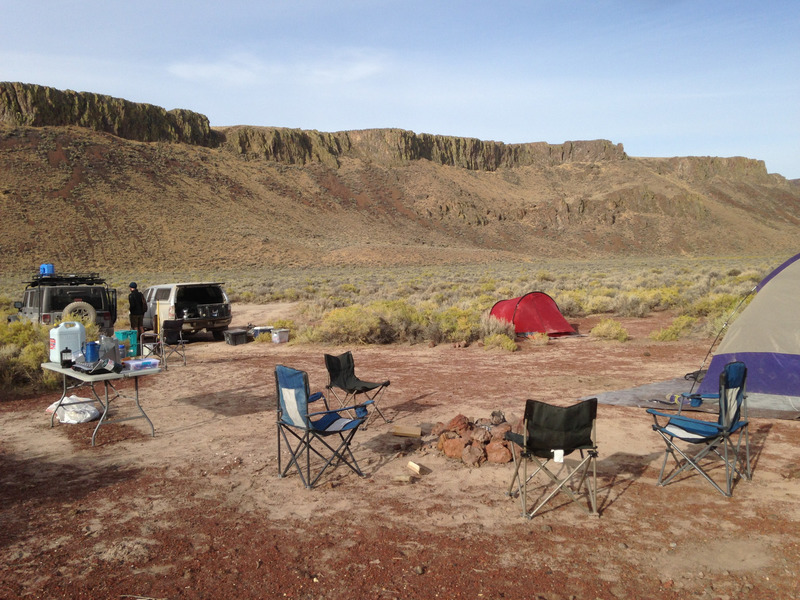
{"x": 201, "y": 305}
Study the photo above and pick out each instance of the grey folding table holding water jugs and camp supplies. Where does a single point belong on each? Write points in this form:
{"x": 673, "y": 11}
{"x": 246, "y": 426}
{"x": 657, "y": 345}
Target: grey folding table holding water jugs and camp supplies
{"x": 76, "y": 379}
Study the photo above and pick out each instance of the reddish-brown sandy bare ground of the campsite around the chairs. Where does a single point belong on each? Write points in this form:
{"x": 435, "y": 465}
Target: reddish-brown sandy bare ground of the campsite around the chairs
{"x": 198, "y": 511}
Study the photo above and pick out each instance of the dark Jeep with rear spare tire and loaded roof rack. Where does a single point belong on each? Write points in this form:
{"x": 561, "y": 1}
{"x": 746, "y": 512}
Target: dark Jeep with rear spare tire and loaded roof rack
{"x": 50, "y": 297}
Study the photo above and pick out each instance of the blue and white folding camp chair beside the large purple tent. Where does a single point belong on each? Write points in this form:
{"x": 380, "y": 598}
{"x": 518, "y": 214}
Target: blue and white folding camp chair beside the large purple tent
{"x": 720, "y": 440}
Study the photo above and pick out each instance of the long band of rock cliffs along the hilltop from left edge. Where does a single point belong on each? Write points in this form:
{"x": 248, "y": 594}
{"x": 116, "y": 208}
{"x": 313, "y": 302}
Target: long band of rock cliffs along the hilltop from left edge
{"x": 38, "y": 106}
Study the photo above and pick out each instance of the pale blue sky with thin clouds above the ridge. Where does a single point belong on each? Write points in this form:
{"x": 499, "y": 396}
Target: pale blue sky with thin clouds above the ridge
{"x": 662, "y": 77}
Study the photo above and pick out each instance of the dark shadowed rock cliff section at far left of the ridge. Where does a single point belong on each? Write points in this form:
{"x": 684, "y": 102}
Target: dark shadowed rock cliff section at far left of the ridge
{"x": 38, "y": 106}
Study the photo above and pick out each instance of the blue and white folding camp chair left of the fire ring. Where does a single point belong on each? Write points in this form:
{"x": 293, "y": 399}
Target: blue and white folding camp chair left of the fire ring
{"x": 304, "y": 432}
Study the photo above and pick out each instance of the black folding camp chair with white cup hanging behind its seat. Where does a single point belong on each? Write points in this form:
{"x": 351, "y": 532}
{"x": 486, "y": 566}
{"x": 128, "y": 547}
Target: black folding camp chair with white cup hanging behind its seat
{"x": 550, "y": 433}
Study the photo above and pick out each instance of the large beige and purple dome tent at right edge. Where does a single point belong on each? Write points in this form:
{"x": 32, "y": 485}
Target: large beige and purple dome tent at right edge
{"x": 766, "y": 337}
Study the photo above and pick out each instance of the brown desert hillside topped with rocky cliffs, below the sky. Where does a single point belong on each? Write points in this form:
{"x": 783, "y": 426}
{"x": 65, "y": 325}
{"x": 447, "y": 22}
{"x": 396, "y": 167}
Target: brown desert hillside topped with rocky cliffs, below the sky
{"x": 93, "y": 182}
